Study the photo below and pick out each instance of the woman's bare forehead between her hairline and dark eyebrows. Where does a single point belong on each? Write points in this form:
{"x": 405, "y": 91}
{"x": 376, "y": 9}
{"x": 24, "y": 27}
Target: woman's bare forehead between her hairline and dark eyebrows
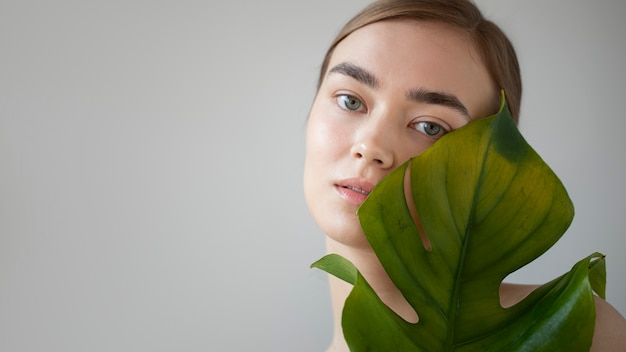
{"x": 406, "y": 54}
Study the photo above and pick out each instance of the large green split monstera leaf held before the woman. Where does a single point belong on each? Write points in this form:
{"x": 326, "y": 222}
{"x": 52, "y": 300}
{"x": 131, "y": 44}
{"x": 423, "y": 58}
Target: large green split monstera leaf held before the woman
{"x": 448, "y": 226}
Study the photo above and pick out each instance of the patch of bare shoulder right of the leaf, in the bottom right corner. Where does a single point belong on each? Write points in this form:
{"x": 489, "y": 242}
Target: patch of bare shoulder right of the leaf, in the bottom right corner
{"x": 610, "y": 331}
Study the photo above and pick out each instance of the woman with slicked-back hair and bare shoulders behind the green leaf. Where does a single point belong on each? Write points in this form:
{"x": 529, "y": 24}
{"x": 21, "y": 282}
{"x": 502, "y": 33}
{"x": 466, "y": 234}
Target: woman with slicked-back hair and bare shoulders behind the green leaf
{"x": 399, "y": 76}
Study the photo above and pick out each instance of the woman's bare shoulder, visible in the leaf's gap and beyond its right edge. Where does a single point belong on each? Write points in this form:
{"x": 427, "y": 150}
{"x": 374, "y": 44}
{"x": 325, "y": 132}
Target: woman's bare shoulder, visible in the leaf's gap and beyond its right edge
{"x": 610, "y": 330}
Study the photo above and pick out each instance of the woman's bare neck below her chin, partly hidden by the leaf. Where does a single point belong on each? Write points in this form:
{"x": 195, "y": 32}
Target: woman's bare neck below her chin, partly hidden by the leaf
{"x": 370, "y": 267}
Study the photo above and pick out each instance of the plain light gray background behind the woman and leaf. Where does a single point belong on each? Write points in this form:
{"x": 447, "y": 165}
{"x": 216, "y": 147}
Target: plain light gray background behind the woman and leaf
{"x": 151, "y": 159}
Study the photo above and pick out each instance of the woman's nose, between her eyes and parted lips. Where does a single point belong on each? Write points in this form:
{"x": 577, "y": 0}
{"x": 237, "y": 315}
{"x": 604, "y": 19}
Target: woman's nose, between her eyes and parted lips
{"x": 374, "y": 147}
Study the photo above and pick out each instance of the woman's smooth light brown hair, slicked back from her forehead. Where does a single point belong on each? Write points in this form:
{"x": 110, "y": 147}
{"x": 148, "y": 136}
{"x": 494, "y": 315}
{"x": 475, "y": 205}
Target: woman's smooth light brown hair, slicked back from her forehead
{"x": 495, "y": 49}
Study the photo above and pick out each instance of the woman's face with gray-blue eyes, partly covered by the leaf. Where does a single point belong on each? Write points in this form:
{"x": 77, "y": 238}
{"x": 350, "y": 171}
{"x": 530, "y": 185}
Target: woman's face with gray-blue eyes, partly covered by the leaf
{"x": 392, "y": 89}
